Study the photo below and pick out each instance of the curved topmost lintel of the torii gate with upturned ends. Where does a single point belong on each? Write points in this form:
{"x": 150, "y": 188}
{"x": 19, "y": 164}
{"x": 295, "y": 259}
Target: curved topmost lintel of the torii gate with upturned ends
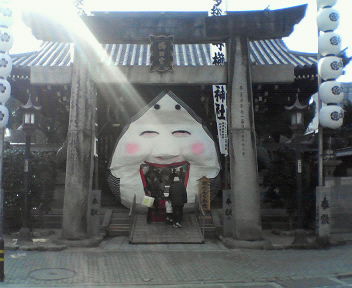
{"x": 195, "y": 27}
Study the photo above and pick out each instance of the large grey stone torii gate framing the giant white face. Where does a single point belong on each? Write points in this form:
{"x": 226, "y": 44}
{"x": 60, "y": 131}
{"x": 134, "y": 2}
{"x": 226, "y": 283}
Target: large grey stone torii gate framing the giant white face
{"x": 235, "y": 29}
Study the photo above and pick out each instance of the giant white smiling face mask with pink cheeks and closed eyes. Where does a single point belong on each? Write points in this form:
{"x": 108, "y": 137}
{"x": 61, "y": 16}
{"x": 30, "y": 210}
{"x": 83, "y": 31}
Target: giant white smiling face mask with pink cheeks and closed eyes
{"x": 165, "y": 135}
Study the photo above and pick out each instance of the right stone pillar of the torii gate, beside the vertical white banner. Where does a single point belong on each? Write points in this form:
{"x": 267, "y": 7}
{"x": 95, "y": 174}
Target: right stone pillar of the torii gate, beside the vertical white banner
{"x": 243, "y": 156}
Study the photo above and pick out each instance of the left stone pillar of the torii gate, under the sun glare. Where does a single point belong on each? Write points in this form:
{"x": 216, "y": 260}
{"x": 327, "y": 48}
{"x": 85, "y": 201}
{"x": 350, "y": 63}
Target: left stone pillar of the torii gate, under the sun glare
{"x": 80, "y": 151}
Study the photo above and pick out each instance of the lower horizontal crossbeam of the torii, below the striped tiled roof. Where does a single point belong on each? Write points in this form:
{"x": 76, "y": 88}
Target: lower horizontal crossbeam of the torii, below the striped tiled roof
{"x": 185, "y": 75}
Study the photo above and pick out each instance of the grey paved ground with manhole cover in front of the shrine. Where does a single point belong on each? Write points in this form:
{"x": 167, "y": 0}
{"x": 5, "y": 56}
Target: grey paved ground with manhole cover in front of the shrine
{"x": 119, "y": 264}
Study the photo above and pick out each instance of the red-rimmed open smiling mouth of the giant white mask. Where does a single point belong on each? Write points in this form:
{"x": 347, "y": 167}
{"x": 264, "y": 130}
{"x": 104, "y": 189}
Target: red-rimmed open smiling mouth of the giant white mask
{"x": 182, "y": 170}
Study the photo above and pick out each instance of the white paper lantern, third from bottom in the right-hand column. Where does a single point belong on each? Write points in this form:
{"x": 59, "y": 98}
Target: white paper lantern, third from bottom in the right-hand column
{"x": 330, "y": 67}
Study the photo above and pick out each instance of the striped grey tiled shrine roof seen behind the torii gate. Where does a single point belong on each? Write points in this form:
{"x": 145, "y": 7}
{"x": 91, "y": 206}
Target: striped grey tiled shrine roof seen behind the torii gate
{"x": 262, "y": 52}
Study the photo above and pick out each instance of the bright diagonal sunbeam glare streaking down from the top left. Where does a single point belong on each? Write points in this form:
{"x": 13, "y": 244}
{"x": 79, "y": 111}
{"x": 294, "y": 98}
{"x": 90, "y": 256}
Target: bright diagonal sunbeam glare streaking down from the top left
{"x": 96, "y": 58}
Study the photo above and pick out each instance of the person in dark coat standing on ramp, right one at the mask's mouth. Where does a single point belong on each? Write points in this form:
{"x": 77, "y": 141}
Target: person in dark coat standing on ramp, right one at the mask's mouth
{"x": 178, "y": 196}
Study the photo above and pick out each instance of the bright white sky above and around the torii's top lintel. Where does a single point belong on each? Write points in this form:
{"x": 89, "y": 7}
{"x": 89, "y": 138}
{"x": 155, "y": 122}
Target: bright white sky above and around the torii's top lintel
{"x": 304, "y": 38}
